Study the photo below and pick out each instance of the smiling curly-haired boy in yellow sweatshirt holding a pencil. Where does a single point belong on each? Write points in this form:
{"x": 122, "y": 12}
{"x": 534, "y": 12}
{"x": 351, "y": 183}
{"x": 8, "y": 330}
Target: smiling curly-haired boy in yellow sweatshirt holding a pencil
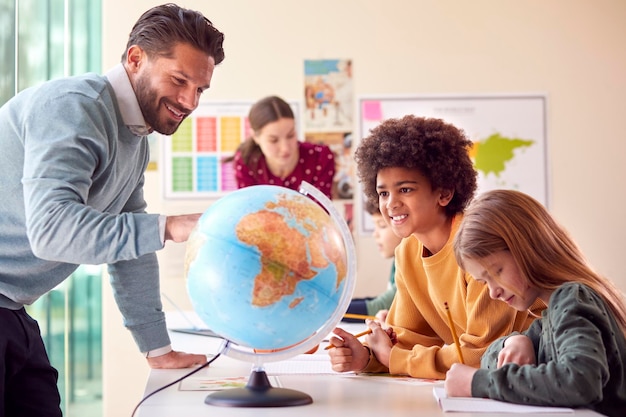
{"x": 420, "y": 172}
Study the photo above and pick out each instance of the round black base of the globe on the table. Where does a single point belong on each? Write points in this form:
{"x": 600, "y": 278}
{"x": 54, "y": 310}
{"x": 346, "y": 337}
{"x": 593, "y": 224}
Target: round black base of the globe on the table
{"x": 258, "y": 392}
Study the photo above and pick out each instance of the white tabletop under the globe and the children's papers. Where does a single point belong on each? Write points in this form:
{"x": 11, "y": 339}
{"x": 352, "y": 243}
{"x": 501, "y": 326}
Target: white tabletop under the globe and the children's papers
{"x": 334, "y": 395}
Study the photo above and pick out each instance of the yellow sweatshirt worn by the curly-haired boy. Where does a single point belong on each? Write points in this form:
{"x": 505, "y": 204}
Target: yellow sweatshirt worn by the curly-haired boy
{"x": 425, "y": 347}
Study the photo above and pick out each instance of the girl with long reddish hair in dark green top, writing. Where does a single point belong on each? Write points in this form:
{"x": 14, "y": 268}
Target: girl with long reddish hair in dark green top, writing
{"x": 575, "y": 355}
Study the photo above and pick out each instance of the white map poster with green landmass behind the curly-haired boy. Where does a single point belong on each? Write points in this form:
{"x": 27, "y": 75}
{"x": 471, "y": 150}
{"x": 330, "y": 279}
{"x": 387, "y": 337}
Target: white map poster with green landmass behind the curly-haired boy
{"x": 508, "y": 131}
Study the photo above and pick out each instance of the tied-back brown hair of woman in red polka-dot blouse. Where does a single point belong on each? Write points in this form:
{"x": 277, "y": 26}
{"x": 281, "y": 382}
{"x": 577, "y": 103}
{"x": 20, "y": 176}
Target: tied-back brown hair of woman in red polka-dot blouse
{"x": 265, "y": 111}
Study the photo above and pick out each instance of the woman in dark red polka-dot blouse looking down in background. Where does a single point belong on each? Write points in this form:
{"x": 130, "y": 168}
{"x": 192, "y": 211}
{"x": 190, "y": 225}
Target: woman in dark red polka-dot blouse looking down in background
{"x": 273, "y": 155}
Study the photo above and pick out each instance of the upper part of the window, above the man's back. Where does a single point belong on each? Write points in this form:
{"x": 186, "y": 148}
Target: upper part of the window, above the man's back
{"x": 45, "y": 39}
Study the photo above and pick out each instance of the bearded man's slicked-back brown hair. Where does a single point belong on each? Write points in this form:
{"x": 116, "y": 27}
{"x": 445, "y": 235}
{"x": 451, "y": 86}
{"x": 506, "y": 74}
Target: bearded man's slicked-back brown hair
{"x": 161, "y": 28}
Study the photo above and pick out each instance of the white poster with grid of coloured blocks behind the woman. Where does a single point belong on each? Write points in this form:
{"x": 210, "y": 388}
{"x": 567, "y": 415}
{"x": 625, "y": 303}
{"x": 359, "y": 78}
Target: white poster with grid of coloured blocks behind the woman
{"x": 193, "y": 156}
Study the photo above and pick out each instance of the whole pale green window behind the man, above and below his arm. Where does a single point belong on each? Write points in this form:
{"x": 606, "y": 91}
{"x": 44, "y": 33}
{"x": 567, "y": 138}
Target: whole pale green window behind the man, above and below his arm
{"x": 41, "y": 40}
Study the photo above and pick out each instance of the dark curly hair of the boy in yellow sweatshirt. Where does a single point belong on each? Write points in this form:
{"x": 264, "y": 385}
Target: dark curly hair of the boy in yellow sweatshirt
{"x": 439, "y": 150}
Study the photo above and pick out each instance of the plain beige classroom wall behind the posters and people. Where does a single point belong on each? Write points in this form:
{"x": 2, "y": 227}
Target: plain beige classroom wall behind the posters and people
{"x": 571, "y": 50}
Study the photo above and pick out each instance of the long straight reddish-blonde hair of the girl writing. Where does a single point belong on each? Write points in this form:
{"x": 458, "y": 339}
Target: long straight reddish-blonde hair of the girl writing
{"x": 546, "y": 255}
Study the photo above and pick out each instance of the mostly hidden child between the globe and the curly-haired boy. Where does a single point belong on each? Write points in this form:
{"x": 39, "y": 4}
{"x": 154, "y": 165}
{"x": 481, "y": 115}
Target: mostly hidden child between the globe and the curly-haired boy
{"x": 387, "y": 241}
